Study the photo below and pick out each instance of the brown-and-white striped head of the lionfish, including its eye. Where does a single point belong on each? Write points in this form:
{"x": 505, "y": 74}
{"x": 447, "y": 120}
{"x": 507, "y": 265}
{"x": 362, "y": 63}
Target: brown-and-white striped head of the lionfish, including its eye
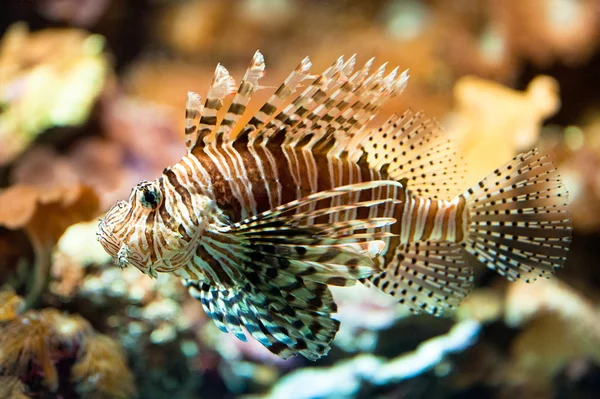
{"x": 143, "y": 233}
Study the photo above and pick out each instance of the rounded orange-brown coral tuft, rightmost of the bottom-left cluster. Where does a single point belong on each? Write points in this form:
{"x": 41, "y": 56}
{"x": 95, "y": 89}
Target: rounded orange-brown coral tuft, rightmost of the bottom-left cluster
{"x": 101, "y": 370}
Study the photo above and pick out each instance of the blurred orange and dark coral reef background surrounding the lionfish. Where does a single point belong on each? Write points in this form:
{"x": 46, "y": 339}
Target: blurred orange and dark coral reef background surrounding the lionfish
{"x": 92, "y": 97}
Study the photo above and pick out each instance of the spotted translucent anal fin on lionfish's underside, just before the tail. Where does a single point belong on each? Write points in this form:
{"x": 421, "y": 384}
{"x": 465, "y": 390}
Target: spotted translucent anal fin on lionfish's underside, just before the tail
{"x": 429, "y": 277}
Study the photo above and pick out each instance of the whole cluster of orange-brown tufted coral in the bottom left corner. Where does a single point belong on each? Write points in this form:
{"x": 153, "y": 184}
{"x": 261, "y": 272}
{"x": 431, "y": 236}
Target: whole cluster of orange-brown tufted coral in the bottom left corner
{"x": 37, "y": 345}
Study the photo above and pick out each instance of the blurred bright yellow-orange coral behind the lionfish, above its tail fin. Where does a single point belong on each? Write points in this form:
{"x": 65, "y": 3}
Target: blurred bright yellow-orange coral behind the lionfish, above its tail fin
{"x": 491, "y": 122}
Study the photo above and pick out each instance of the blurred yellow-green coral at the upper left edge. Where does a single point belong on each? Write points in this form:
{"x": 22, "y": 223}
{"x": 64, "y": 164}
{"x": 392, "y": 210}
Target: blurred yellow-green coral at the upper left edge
{"x": 68, "y": 66}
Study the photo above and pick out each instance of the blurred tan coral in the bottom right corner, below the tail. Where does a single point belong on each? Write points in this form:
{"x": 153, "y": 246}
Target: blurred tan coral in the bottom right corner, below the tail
{"x": 560, "y": 327}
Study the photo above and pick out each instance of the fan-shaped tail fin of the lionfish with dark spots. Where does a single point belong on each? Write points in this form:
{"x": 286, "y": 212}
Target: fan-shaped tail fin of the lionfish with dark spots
{"x": 519, "y": 223}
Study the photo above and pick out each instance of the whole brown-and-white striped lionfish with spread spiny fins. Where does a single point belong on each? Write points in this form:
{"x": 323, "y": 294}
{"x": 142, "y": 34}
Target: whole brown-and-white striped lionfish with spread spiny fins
{"x": 264, "y": 212}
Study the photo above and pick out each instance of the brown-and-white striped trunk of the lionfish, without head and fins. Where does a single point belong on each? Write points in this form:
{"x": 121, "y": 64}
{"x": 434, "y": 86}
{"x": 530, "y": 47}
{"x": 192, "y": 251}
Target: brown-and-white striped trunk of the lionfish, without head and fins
{"x": 245, "y": 183}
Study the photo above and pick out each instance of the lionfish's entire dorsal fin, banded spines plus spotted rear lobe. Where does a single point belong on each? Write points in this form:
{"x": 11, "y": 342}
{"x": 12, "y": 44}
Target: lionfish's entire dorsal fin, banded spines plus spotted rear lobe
{"x": 331, "y": 116}
